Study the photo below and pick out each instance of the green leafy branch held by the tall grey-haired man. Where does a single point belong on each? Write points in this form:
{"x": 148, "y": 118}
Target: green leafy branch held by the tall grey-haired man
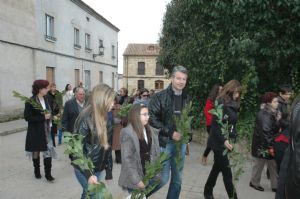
{"x": 183, "y": 126}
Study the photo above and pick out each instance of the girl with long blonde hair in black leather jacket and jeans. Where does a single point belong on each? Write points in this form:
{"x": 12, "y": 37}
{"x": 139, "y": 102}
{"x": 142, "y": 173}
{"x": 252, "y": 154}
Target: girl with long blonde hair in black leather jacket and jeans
{"x": 96, "y": 129}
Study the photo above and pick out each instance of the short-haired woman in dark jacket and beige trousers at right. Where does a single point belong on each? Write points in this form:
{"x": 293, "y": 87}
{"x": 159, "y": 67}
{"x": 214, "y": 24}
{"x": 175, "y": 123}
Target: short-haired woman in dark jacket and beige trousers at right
{"x": 265, "y": 130}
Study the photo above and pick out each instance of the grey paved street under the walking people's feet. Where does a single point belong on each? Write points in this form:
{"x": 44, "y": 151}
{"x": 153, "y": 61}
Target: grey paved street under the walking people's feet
{"x": 17, "y": 180}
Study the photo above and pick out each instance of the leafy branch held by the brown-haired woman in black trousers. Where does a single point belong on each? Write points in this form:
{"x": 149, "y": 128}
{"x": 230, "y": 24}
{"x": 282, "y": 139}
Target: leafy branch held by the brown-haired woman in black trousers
{"x": 236, "y": 158}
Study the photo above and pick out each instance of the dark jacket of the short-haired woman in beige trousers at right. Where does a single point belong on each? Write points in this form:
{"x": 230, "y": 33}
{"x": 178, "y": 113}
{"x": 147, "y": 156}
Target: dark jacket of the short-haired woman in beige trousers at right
{"x": 265, "y": 130}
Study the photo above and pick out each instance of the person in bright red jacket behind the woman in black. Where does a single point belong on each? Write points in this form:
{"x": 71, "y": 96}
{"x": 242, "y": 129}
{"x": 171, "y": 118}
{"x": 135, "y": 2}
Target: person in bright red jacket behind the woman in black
{"x": 209, "y": 105}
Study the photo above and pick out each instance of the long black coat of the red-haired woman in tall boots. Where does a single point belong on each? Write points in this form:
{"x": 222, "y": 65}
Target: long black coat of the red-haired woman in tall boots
{"x": 36, "y": 135}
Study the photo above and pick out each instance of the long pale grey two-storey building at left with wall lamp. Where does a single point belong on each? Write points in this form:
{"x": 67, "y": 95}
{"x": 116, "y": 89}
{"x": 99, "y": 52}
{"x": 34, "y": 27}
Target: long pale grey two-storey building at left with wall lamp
{"x": 63, "y": 41}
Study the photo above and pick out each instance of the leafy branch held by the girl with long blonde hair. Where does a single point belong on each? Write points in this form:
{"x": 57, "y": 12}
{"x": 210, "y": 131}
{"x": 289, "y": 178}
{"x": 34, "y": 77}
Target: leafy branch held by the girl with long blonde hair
{"x": 73, "y": 146}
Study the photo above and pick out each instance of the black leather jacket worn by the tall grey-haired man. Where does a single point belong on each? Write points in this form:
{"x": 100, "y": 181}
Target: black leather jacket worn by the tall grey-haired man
{"x": 161, "y": 109}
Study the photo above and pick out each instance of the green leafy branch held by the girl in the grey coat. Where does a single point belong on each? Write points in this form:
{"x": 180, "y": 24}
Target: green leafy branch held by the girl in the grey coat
{"x": 152, "y": 170}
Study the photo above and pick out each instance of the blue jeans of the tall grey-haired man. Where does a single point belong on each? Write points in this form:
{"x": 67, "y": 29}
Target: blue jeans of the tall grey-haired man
{"x": 176, "y": 174}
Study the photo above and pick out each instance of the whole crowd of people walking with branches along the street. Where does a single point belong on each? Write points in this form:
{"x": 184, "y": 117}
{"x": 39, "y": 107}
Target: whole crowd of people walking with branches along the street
{"x": 150, "y": 129}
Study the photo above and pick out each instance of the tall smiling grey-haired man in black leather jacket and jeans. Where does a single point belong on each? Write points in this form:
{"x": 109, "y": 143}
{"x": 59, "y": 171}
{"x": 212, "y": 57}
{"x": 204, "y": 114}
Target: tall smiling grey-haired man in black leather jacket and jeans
{"x": 163, "y": 106}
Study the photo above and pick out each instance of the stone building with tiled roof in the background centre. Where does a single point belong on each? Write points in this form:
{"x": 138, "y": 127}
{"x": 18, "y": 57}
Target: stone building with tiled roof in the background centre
{"x": 141, "y": 69}
